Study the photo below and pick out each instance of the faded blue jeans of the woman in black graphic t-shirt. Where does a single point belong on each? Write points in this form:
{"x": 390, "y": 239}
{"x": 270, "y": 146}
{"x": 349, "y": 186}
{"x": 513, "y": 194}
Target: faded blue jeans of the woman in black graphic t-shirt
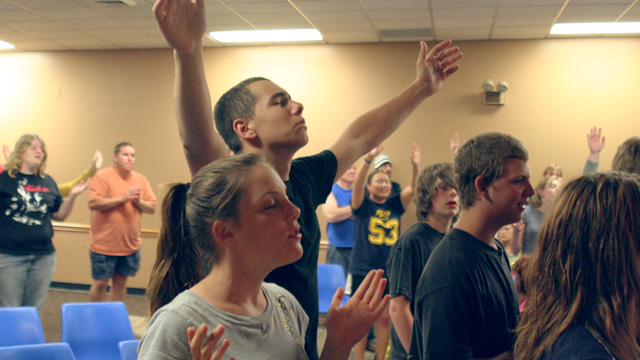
{"x": 25, "y": 279}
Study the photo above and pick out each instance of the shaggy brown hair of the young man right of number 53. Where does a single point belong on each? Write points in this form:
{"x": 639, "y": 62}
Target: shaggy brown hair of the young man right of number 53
{"x": 427, "y": 186}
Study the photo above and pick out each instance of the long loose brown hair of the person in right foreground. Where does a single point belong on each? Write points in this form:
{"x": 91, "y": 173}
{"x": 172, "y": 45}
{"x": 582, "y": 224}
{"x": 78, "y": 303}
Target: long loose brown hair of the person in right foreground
{"x": 587, "y": 267}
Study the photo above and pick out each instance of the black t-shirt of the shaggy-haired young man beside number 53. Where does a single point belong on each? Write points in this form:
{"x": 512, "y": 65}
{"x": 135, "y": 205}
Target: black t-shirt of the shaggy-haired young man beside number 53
{"x": 406, "y": 261}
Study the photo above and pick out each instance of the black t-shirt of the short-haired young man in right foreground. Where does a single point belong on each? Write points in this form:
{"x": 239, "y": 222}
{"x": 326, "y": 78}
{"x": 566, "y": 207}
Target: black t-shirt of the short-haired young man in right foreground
{"x": 465, "y": 304}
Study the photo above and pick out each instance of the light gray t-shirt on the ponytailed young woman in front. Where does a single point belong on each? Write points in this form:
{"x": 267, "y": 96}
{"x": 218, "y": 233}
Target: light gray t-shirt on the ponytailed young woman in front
{"x": 262, "y": 337}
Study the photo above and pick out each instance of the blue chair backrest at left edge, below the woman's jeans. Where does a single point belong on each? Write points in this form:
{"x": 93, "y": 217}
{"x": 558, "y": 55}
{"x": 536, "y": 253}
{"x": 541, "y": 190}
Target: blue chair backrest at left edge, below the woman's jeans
{"x": 20, "y": 326}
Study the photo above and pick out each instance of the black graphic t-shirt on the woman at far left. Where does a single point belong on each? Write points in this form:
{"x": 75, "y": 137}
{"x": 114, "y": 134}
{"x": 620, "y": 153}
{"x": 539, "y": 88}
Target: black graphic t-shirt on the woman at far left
{"x": 26, "y": 205}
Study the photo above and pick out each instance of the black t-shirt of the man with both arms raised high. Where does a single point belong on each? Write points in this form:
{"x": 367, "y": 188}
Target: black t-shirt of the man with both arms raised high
{"x": 309, "y": 184}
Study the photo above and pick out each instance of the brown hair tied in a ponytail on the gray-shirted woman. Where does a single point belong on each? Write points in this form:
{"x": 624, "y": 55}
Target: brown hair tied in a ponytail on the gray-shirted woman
{"x": 186, "y": 247}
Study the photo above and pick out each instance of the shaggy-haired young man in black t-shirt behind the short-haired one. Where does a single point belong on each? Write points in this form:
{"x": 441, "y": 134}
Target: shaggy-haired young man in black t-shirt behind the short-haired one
{"x": 437, "y": 205}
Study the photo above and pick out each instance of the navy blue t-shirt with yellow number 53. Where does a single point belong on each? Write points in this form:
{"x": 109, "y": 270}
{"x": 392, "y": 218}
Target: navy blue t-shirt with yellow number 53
{"x": 377, "y": 229}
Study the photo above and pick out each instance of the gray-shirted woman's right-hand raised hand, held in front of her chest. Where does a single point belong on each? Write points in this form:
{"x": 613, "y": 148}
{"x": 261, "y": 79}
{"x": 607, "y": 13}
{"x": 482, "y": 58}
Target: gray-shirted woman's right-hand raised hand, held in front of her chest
{"x": 347, "y": 325}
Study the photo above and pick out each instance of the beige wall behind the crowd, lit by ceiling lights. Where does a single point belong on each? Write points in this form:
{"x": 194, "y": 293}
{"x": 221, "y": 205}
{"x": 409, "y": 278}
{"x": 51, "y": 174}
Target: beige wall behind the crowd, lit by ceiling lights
{"x": 558, "y": 89}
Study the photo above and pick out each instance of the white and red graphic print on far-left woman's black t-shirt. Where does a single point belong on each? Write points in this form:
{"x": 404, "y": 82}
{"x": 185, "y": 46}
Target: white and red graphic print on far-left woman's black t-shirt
{"x": 28, "y": 207}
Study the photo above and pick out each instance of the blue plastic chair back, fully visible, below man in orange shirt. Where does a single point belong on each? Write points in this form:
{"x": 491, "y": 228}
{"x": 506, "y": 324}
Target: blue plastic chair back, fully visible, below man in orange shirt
{"x": 94, "y": 330}
